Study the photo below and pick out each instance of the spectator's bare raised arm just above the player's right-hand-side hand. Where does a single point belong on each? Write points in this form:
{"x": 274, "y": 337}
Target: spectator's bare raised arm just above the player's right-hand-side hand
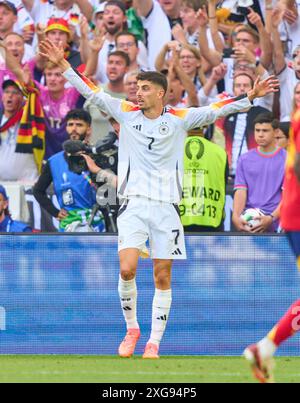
{"x": 265, "y": 39}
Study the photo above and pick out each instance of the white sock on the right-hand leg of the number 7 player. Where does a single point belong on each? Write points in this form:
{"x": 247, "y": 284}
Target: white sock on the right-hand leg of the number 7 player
{"x": 160, "y": 312}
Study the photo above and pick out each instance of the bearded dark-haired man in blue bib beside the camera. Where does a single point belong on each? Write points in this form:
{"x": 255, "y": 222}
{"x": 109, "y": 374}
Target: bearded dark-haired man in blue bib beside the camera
{"x": 74, "y": 188}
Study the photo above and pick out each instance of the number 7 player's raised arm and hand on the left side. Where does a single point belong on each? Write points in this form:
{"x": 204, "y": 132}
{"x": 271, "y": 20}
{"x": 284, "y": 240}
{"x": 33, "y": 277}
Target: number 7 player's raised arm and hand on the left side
{"x": 108, "y": 104}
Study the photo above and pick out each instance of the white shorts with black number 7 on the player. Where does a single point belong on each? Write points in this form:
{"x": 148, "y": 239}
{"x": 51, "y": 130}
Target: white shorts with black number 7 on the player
{"x": 141, "y": 219}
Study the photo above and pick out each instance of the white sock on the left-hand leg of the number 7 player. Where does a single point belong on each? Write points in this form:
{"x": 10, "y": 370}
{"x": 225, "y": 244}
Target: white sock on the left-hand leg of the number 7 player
{"x": 128, "y": 297}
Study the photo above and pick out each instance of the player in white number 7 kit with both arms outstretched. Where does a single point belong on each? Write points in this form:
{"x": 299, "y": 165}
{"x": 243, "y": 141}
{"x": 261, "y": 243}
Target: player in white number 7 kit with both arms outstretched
{"x": 150, "y": 171}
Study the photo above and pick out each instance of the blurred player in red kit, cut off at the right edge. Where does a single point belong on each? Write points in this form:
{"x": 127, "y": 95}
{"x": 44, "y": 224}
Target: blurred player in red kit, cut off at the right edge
{"x": 260, "y": 355}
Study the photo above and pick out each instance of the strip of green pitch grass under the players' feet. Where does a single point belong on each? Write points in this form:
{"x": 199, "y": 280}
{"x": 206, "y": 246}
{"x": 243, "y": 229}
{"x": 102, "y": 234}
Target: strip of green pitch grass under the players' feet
{"x": 109, "y": 369}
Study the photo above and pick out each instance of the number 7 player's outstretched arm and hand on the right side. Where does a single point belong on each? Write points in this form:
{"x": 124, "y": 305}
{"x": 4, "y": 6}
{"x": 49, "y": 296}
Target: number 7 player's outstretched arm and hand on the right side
{"x": 203, "y": 116}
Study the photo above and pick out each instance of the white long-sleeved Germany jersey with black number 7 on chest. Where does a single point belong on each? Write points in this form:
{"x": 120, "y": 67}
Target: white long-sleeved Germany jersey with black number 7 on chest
{"x": 151, "y": 150}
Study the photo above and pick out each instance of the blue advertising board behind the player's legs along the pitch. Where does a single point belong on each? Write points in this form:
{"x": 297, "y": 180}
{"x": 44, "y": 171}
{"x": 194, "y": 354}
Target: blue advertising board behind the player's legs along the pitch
{"x": 58, "y": 294}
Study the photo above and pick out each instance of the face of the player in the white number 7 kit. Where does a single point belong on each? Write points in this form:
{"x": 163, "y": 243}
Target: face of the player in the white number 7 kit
{"x": 148, "y": 94}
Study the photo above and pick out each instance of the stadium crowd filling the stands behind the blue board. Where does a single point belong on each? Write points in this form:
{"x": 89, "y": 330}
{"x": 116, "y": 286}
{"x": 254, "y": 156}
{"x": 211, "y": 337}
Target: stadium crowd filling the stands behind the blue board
{"x": 209, "y": 50}
